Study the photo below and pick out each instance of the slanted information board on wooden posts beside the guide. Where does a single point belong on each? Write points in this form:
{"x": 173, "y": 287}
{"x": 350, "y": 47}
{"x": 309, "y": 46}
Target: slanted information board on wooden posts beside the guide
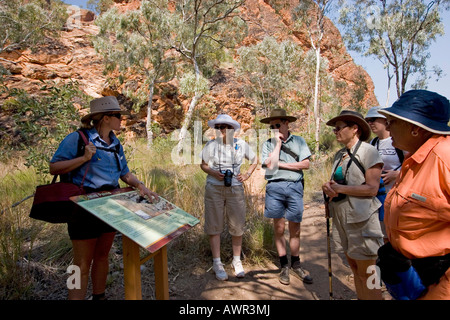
{"x": 143, "y": 224}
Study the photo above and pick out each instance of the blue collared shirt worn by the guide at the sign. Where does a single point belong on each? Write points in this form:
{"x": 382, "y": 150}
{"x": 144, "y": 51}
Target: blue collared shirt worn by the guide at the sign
{"x": 103, "y": 167}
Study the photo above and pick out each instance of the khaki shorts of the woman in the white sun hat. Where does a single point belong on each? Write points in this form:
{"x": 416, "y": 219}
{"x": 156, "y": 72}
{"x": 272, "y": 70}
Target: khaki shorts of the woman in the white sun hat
{"x": 224, "y": 204}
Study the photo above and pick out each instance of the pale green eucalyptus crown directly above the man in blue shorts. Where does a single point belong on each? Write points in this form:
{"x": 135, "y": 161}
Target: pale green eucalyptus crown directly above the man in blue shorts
{"x": 273, "y": 70}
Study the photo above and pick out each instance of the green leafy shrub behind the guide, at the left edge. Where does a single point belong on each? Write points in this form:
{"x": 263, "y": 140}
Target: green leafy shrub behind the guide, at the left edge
{"x": 40, "y": 123}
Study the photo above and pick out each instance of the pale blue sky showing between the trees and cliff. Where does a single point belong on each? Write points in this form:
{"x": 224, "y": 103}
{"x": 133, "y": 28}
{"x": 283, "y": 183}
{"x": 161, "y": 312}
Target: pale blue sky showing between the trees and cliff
{"x": 438, "y": 56}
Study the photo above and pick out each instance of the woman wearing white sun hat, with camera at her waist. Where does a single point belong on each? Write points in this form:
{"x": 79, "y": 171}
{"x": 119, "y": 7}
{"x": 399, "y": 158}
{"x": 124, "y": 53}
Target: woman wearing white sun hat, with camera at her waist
{"x": 222, "y": 159}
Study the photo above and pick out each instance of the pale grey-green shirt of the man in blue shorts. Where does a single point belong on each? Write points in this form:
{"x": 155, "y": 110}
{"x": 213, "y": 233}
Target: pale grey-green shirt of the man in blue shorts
{"x": 298, "y": 146}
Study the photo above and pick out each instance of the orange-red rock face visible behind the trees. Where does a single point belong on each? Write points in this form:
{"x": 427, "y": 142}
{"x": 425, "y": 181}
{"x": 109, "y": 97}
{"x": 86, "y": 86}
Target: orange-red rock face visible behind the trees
{"x": 72, "y": 57}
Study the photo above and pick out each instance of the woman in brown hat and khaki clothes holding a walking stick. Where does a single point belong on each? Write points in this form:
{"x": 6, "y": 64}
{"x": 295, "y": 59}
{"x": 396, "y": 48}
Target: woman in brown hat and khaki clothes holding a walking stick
{"x": 354, "y": 206}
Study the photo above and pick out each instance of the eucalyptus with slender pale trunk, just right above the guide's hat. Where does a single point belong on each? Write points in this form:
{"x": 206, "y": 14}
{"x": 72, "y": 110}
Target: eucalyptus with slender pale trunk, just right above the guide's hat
{"x": 136, "y": 45}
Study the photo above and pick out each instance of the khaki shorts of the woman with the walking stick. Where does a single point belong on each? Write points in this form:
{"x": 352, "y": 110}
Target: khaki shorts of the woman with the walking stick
{"x": 361, "y": 240}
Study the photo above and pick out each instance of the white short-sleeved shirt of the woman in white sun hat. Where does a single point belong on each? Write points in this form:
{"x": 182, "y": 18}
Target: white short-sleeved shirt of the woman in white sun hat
{"x": 220, "y": 156}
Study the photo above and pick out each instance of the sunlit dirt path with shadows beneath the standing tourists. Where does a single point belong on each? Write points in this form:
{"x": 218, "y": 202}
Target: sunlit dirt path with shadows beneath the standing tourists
{"x": 261, "y": 282}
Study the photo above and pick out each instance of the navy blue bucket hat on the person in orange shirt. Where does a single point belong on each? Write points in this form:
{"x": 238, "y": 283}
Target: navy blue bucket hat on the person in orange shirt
{"x": 424, "y": 108}
